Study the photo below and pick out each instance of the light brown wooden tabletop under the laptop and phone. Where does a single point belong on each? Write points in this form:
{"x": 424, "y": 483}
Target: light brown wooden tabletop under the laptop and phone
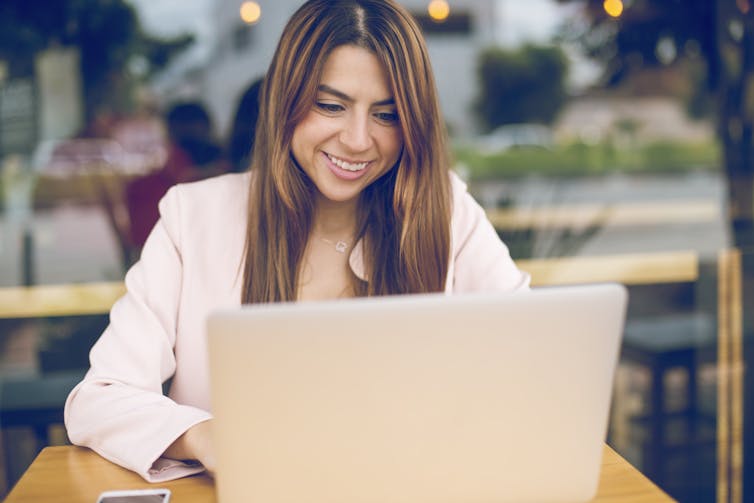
{"x": 77, "y": 475}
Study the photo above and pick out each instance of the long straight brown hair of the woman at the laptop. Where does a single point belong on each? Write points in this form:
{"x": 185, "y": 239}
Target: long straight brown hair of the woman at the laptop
{"x": 404, "y": 216}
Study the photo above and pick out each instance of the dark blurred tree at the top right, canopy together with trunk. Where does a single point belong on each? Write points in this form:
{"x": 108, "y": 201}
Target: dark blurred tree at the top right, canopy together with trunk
{"x": 716, "y": 37}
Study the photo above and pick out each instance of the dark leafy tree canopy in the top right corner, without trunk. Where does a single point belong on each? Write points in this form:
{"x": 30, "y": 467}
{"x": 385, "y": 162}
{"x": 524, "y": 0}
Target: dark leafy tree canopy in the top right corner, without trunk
{"x": 629, "y": 45}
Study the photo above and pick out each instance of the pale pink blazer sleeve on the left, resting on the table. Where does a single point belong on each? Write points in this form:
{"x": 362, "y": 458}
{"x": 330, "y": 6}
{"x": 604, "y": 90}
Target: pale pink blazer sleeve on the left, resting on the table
{"x": 119, "y": 409}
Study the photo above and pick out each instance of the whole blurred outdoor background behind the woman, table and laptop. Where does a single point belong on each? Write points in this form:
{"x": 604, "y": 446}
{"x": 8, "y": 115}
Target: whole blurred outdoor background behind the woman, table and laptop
{"x": 608, "y": 140}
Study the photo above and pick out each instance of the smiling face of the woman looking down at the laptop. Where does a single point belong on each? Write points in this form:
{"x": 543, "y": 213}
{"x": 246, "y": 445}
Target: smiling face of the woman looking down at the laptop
{"x": 352, "y": 135}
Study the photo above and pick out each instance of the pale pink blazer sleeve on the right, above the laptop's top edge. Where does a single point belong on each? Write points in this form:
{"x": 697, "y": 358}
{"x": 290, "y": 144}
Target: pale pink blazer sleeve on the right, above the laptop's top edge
{"x": 481, "y": 261}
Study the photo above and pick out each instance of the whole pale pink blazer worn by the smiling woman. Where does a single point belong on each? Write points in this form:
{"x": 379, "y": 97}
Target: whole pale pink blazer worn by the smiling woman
{"x": 191, "y": 264}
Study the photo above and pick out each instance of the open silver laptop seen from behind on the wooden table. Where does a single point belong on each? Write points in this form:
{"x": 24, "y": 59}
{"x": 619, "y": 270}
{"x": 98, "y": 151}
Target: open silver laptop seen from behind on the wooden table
{"x": 427, "y": 398}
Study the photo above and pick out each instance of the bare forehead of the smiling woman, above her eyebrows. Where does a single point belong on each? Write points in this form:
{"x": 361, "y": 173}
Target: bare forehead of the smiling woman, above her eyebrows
{"x": 356, "y": 72}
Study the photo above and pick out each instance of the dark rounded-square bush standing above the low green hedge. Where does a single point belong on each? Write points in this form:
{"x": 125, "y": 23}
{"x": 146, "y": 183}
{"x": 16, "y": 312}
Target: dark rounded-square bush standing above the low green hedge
{"x": 521, "y": 85}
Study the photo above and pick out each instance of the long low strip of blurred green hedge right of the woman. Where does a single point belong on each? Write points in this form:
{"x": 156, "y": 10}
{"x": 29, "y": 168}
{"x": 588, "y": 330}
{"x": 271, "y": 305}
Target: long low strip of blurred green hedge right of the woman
{"x": 580, "y": 159}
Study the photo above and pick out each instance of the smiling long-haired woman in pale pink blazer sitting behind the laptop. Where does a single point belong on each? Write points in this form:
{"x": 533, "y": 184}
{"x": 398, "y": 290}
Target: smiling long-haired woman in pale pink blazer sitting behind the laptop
{"x": 349, "y": 195}
